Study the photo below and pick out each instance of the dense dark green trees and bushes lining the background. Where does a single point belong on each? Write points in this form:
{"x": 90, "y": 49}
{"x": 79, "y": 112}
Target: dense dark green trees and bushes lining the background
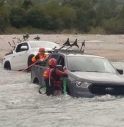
{"x": 60, "y": 15}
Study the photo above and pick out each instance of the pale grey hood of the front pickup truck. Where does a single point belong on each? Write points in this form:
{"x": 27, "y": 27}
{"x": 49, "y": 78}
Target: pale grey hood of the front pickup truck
{"x": 99, "y": 77}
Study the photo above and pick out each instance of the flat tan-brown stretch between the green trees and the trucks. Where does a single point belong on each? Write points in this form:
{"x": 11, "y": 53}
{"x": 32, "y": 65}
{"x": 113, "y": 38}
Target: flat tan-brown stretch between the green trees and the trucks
{"x": 110, "y": 46}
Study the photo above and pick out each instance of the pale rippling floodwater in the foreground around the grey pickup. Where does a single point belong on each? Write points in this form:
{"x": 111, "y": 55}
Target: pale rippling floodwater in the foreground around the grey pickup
{"x": 22, "y": 106}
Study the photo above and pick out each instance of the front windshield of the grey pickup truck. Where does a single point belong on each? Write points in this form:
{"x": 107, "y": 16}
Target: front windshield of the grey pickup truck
{"x": 89, "y": 64}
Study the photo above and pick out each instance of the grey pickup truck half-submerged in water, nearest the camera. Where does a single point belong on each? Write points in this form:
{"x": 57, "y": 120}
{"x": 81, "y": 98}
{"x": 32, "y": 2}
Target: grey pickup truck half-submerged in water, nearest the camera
{"x": 88, "y": 75}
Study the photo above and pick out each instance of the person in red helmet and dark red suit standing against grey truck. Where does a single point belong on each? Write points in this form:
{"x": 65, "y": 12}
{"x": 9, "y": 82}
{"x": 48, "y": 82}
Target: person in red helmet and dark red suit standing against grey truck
{"x": 52, "y": 76}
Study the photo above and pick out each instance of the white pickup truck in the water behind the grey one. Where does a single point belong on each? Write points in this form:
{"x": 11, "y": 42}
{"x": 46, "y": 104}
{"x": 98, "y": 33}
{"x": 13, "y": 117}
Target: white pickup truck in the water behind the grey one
{"x": 20, "y": 57}
